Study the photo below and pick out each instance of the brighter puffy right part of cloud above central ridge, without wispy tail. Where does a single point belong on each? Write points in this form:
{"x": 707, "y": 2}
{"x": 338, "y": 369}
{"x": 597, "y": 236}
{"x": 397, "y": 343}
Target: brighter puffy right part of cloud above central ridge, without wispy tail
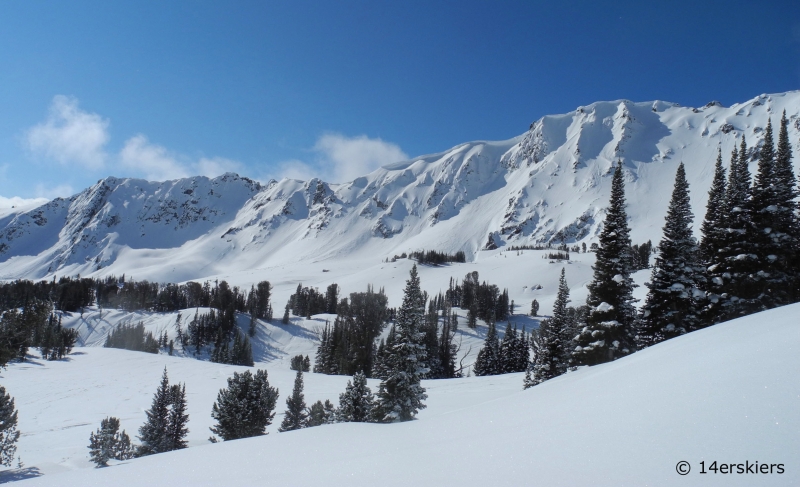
{"x": 346, "y": 158}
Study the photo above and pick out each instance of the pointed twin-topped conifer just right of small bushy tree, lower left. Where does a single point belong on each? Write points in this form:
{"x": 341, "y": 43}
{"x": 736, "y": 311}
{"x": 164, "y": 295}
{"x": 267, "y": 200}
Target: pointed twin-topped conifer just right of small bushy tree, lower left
{"x": 165, "y": 427}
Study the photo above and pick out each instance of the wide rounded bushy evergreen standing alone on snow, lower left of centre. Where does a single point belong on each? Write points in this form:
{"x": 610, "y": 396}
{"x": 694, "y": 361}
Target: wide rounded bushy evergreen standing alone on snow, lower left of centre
{"x": 246, "y": 407}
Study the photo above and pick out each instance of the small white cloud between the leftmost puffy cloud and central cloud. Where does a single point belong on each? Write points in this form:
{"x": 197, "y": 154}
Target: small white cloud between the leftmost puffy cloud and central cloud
{"x": 151, "y": 160}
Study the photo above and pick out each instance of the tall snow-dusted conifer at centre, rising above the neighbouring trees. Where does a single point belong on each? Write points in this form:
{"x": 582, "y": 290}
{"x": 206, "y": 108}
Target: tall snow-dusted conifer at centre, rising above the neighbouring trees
{"x": 400, "y": 395}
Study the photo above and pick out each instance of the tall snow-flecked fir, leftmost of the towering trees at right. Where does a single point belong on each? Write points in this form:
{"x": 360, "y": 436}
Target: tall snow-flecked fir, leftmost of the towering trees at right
{"x": 608, "y": 334}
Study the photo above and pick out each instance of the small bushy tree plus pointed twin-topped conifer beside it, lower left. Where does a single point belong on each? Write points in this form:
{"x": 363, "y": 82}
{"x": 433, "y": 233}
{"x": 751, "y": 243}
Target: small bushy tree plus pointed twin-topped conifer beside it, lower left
{"x": 164, "y": 430}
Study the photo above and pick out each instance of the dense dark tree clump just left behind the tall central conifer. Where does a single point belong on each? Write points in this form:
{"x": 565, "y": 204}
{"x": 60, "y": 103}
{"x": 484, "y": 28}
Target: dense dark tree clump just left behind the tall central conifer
{"x": 348, "y": 346}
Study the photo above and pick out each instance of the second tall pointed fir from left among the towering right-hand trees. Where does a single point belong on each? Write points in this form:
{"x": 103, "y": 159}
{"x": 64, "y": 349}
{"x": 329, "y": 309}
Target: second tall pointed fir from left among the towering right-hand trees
{"x": 673, "y": 303}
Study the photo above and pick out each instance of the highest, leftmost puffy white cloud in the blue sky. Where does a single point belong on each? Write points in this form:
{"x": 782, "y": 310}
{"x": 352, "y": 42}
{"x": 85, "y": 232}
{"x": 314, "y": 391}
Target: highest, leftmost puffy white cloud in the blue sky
{"x": 70, "y": 135}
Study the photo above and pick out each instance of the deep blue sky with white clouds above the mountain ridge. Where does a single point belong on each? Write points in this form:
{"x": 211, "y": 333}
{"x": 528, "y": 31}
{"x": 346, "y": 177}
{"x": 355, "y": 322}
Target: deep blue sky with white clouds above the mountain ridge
{"x": 336, "y": 88}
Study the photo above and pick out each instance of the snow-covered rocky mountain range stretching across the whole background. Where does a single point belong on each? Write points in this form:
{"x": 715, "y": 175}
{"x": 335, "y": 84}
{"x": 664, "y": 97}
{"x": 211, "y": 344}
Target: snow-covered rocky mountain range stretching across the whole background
{"x": 550, "y": 184}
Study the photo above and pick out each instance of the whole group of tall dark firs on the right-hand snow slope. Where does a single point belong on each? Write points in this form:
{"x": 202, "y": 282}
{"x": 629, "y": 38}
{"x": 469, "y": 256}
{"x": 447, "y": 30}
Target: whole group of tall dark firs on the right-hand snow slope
{"x": 746, "y": 261}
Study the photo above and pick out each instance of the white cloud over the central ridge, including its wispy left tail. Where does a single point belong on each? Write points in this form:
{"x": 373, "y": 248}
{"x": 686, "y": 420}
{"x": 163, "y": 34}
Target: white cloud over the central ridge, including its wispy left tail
{"x": 341, "y": 158}
